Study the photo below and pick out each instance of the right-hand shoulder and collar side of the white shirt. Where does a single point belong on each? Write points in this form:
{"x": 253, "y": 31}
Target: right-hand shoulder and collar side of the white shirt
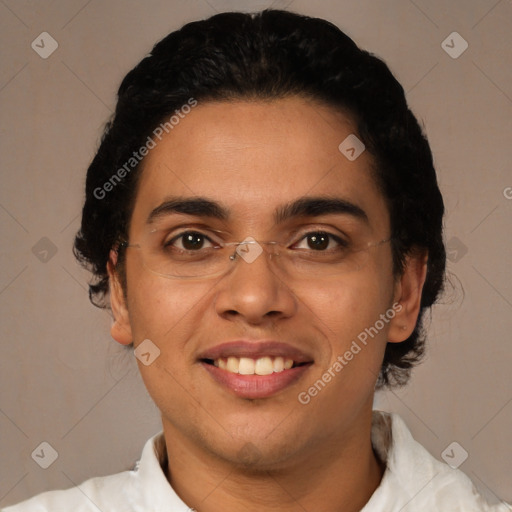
{"x": 414, "y": 479}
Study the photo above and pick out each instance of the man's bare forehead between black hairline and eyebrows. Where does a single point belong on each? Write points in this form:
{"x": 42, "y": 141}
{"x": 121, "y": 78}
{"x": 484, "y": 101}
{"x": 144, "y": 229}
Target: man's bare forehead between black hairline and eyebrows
{"x": 254, "y": 156}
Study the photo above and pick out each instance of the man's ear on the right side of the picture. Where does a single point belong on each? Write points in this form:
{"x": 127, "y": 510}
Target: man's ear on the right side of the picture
{"x": 407, "y": 296}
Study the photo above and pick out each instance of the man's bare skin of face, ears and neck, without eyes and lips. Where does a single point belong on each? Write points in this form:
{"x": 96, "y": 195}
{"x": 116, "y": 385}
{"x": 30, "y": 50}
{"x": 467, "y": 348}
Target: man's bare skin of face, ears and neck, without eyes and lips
{"x": 228, "y": 453}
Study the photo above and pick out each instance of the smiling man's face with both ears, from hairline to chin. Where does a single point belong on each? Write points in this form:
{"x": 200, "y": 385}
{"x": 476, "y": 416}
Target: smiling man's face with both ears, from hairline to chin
{"x": 271, "y": 171}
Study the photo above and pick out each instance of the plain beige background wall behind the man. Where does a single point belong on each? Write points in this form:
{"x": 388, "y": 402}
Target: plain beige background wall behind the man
{"x": 65, "y": 382}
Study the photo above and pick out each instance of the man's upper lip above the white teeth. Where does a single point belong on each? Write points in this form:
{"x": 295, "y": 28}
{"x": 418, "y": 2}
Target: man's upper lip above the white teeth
{"x": 255, "y": 350}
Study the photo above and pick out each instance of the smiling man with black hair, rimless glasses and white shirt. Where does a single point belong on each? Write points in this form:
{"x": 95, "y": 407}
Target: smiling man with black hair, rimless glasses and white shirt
{"x": 264, "y": 219}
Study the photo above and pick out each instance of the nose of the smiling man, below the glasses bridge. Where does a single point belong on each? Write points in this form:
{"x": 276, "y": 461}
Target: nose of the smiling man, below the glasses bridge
{"x": 254, "y": 291}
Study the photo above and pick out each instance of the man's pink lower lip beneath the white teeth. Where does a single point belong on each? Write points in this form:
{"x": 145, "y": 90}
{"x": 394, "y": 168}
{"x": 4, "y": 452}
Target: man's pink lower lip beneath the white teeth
{"x": 256, "y": 386}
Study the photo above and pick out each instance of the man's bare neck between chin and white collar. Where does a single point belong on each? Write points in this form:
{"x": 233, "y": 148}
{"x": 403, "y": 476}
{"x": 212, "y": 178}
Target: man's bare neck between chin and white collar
{"x": 339, "y": 474}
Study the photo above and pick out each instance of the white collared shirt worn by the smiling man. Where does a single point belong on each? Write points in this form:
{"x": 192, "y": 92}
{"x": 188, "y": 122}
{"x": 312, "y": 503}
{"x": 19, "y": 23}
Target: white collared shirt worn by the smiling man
{"x": 413, "y": 481}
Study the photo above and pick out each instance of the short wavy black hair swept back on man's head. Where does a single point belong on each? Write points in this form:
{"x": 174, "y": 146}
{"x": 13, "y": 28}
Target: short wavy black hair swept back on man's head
{"x": 269, "y": 55}
